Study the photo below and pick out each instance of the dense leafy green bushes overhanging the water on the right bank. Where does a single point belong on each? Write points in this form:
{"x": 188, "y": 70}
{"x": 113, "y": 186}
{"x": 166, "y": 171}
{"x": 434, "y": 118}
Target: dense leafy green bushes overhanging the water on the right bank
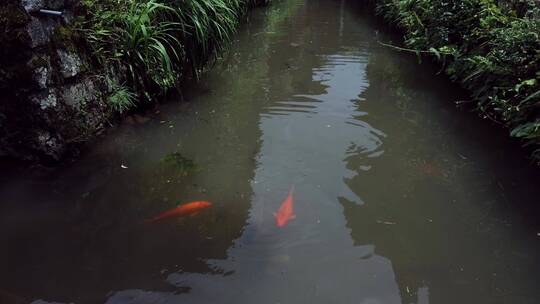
{"x": 491, "y": 47}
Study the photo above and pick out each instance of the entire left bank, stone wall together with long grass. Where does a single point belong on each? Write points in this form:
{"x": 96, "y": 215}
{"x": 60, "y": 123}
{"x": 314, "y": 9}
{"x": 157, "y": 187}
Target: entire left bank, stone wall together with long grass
{"x": 70, "y": 69}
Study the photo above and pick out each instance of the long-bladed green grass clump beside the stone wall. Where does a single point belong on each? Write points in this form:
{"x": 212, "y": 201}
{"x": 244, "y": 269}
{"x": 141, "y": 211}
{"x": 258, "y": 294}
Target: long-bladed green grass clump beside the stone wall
{"x": 155, "y": 44}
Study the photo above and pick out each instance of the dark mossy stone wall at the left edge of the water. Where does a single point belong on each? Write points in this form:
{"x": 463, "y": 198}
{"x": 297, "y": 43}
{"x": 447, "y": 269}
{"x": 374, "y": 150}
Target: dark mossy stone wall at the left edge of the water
{"x": 51, "y": 96}
